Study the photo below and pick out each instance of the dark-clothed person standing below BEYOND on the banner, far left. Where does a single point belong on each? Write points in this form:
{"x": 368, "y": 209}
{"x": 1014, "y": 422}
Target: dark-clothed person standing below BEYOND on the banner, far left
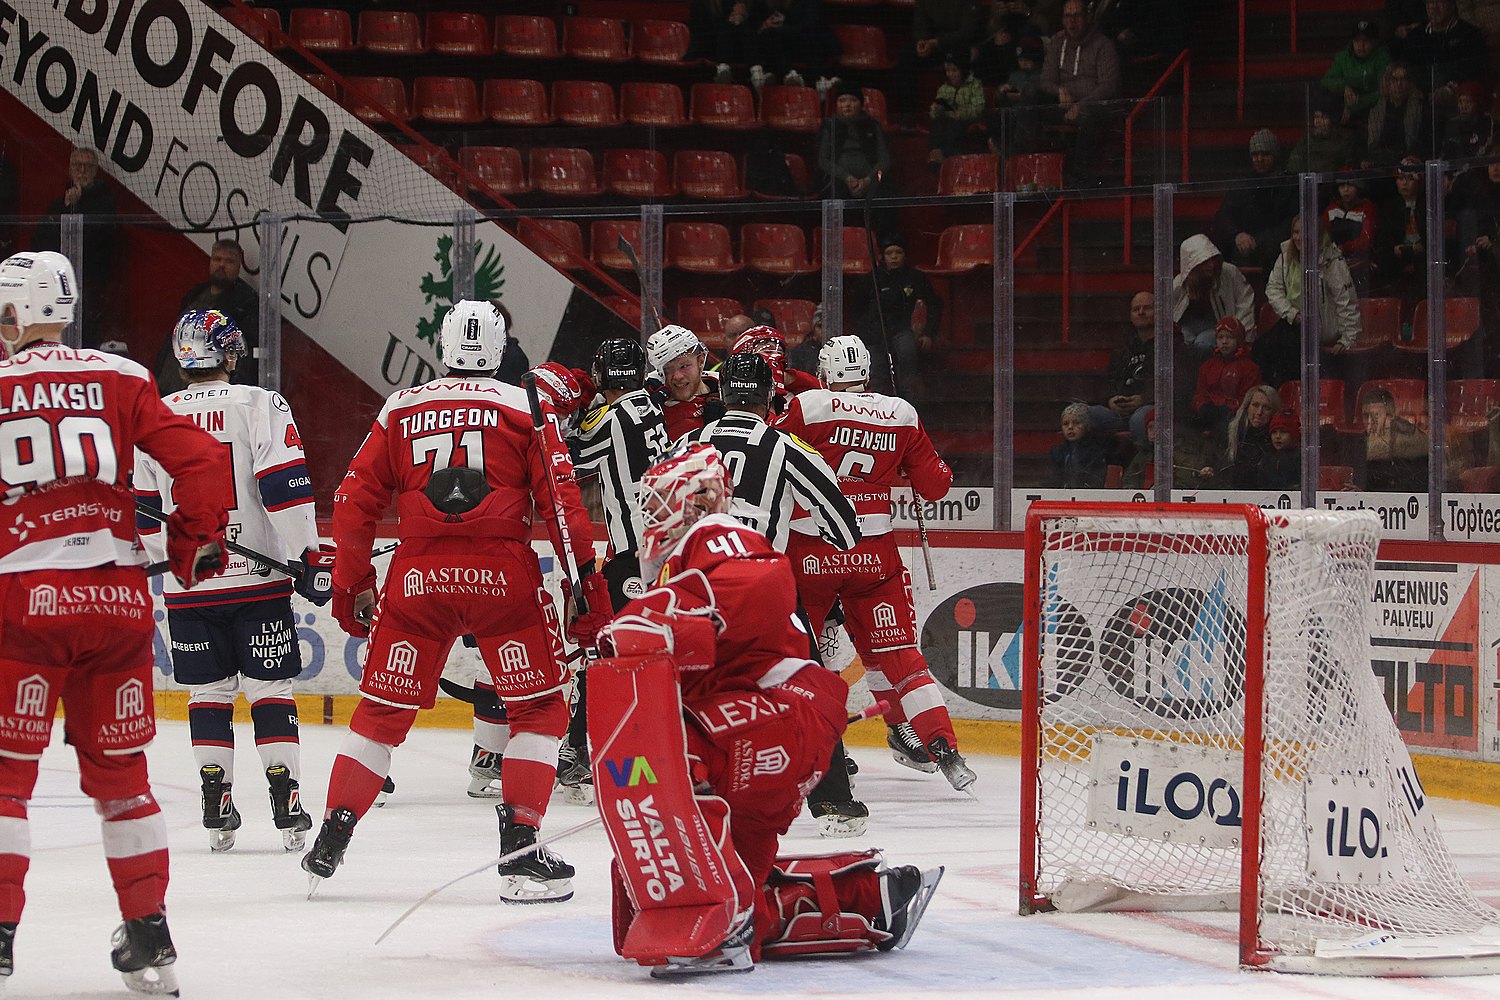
{"x": 89, "y": 196}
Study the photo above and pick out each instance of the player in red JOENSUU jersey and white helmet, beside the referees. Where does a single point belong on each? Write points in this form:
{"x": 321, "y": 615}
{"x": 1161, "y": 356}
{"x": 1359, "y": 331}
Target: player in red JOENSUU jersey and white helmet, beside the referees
{"x": 875, "y": 443}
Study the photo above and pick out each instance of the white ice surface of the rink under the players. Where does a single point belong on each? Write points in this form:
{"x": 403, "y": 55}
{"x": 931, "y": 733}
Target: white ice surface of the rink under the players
{"x": 245, "y": 929}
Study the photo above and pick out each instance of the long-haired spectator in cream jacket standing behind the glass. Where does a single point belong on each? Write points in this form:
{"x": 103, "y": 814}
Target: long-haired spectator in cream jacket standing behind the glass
{"x": 1280, "y": 349}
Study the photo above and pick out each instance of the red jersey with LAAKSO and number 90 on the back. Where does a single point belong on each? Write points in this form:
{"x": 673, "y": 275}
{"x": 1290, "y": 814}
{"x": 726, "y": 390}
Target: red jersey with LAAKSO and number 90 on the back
{"x": 70, "y": 425}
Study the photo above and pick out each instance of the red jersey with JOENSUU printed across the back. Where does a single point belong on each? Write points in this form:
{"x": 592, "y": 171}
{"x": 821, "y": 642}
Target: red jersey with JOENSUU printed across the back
{"x": 869, "y": 440}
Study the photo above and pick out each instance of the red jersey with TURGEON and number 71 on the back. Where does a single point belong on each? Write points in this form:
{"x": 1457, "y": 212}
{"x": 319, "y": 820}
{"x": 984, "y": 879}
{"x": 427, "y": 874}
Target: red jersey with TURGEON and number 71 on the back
{"x": 479, "y": 424}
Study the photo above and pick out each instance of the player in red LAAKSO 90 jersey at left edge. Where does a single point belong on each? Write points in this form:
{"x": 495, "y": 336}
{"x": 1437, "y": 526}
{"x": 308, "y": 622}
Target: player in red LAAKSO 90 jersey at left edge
{"x": 74, "y": 600}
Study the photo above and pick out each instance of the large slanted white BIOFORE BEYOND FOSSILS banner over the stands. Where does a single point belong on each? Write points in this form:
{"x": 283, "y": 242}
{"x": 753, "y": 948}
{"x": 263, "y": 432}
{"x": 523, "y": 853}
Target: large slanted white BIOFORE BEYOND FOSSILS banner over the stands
{"x": 211, "y": 131}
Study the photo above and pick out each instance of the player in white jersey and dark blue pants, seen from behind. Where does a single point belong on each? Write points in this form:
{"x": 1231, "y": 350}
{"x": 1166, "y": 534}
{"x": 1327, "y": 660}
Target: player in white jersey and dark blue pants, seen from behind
{"x": 236, "y": 632}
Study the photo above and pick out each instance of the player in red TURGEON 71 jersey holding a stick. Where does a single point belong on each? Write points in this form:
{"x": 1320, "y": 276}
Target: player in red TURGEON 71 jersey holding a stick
{"x": 463, "y": 460}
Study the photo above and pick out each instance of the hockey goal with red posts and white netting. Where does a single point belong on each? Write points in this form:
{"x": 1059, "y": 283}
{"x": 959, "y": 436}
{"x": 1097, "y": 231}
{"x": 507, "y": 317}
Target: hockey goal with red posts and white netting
{"x": 1202, "y": 731}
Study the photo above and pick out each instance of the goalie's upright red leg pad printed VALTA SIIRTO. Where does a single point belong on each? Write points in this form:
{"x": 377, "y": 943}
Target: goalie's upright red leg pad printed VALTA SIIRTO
{"x": 682, "y": 881}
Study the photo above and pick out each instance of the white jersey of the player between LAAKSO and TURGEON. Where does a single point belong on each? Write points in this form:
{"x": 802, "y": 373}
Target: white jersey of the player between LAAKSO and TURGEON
{"x": 271, "y": 510}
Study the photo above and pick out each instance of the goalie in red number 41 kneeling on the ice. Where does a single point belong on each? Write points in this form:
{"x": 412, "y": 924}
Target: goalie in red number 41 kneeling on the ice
{"x": 709, "y": 726}
